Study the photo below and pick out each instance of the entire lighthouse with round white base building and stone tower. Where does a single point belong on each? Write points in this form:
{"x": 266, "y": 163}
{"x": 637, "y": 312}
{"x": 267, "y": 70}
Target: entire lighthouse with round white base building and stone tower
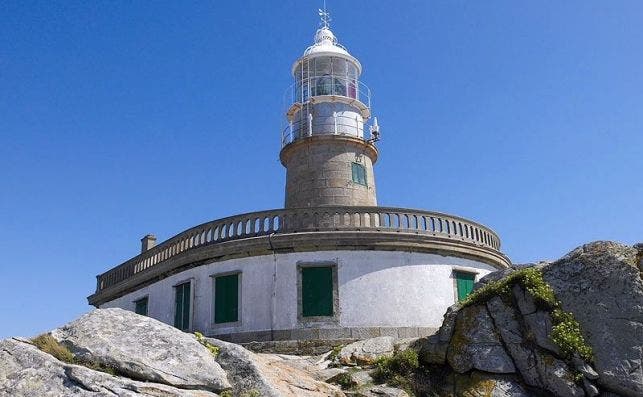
{"x": 331, "y": 264}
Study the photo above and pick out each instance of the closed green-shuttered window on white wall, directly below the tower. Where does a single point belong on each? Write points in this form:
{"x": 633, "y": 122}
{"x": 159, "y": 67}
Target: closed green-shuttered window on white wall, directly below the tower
{"x": 317, "y": 291}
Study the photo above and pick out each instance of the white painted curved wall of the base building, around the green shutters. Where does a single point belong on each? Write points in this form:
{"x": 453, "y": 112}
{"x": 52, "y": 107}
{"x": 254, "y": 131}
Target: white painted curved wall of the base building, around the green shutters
{"x": 376, "y": 289}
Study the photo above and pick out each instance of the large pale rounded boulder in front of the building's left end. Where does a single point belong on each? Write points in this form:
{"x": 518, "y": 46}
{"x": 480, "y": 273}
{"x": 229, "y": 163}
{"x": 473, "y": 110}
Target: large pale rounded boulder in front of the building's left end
{"x": 142, "y": 348}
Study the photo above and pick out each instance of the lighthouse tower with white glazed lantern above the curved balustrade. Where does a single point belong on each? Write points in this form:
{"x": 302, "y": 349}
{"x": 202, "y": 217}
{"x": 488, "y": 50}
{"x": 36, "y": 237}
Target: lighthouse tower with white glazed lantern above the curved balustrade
{"x": 328, "y": 157}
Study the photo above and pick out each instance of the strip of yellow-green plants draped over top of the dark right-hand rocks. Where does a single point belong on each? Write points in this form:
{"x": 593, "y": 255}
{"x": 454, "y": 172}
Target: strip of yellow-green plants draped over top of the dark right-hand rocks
{"x": 566, "y": 331}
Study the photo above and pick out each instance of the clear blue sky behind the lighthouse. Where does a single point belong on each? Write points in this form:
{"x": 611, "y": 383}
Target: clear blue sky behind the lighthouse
{"x": 123, "y": 118}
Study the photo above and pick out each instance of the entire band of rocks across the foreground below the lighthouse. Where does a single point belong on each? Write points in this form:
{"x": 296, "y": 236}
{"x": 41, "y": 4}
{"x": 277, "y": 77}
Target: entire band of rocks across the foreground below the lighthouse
{"x": 569, "y": 328}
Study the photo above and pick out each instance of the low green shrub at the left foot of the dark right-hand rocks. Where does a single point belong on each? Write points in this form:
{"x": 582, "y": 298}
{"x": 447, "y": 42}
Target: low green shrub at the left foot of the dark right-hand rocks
{"x": 397, "y": 370}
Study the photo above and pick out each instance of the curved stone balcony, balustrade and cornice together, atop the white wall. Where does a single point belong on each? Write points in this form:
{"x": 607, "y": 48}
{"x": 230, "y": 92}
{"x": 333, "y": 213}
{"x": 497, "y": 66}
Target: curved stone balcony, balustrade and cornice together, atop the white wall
{"x": 303, "y": 229}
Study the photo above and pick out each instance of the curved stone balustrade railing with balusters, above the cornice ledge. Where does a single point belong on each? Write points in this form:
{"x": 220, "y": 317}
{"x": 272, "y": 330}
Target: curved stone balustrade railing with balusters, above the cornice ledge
{"x": 301, "y": 220}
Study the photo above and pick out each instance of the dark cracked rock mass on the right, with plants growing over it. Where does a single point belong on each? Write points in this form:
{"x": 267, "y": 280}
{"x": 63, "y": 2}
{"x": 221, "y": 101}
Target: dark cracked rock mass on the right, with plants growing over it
{"x": 577, "y": 330}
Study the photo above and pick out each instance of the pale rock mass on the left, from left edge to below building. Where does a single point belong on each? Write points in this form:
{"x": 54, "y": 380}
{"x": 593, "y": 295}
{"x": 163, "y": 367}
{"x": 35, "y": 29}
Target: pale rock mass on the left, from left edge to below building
{"x": 113, "y": 352}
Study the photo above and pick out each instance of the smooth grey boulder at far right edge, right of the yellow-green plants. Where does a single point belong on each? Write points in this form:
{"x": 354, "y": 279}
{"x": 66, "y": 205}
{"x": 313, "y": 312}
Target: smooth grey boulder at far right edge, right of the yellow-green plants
{"x": 601, "y": 284}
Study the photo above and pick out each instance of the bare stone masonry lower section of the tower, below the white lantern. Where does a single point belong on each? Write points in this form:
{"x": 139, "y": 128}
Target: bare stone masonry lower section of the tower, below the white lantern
{"x": 319, "y": 171}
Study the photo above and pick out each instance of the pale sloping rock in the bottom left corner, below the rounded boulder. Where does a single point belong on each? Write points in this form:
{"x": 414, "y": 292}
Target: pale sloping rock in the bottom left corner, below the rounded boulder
{"x": 26, "y": 371}
